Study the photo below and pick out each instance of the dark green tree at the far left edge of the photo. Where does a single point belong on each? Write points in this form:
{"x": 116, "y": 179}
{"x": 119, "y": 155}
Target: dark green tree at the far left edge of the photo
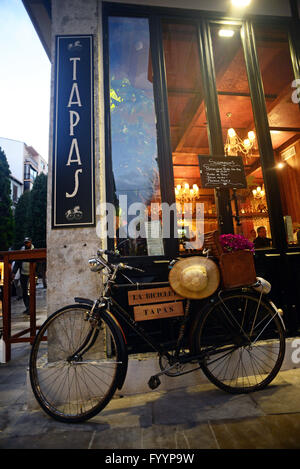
{"x": 6, "y": 216}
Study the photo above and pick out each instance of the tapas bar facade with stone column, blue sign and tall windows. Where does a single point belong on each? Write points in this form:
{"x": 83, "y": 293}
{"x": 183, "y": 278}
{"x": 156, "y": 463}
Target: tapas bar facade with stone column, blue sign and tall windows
{"x": 142, "y": 93}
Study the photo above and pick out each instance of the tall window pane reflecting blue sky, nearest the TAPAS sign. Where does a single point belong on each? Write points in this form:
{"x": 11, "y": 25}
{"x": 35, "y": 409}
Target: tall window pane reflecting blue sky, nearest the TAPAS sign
{"x": 134, "y": 171}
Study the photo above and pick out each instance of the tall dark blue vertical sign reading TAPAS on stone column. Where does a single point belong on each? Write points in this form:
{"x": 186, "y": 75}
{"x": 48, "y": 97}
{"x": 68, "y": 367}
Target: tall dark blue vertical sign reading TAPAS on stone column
{"x": 73, "y": 201}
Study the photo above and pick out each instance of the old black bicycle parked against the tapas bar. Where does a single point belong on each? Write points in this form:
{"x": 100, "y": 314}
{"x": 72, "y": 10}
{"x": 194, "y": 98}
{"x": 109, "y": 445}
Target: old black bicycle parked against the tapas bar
{"x": 79, "y": 357}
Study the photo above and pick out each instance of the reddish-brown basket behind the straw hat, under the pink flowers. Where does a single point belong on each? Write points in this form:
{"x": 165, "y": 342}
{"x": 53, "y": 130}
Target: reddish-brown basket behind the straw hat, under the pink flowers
{"x": 237, "y": 268}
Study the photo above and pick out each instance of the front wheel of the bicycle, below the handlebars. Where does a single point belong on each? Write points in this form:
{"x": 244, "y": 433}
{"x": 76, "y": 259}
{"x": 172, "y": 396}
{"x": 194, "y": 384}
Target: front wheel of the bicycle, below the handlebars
{"x": 74, "y": 388}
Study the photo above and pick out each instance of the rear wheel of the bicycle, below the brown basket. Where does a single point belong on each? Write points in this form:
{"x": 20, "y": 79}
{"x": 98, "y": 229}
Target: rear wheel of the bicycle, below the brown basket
{"x": 243, "y": 341}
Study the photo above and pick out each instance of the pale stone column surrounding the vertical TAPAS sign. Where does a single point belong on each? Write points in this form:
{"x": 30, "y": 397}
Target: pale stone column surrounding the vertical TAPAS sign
{"x": 68, "y": 250}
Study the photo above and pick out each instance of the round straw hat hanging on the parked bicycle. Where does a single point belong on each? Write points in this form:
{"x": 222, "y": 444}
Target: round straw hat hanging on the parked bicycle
{"x": 195, "y": 277}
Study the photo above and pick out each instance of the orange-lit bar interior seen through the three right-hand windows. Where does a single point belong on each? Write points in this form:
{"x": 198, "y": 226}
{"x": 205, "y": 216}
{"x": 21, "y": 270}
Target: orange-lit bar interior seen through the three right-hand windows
{"x": 188, "y": 122}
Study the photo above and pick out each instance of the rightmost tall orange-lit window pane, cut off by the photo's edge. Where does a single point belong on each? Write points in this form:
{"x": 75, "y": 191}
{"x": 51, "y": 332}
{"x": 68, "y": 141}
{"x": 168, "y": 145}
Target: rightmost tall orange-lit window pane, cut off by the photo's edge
{"x": 282, "y": 105}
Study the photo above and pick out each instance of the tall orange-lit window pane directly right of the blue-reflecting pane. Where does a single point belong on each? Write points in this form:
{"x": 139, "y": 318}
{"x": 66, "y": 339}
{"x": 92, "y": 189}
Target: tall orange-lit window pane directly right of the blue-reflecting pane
{"x": 188, "y": 132}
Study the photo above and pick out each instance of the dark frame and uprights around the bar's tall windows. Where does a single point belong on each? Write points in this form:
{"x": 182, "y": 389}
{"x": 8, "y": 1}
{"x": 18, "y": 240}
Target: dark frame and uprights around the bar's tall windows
{"x": 202, "y": 20}
